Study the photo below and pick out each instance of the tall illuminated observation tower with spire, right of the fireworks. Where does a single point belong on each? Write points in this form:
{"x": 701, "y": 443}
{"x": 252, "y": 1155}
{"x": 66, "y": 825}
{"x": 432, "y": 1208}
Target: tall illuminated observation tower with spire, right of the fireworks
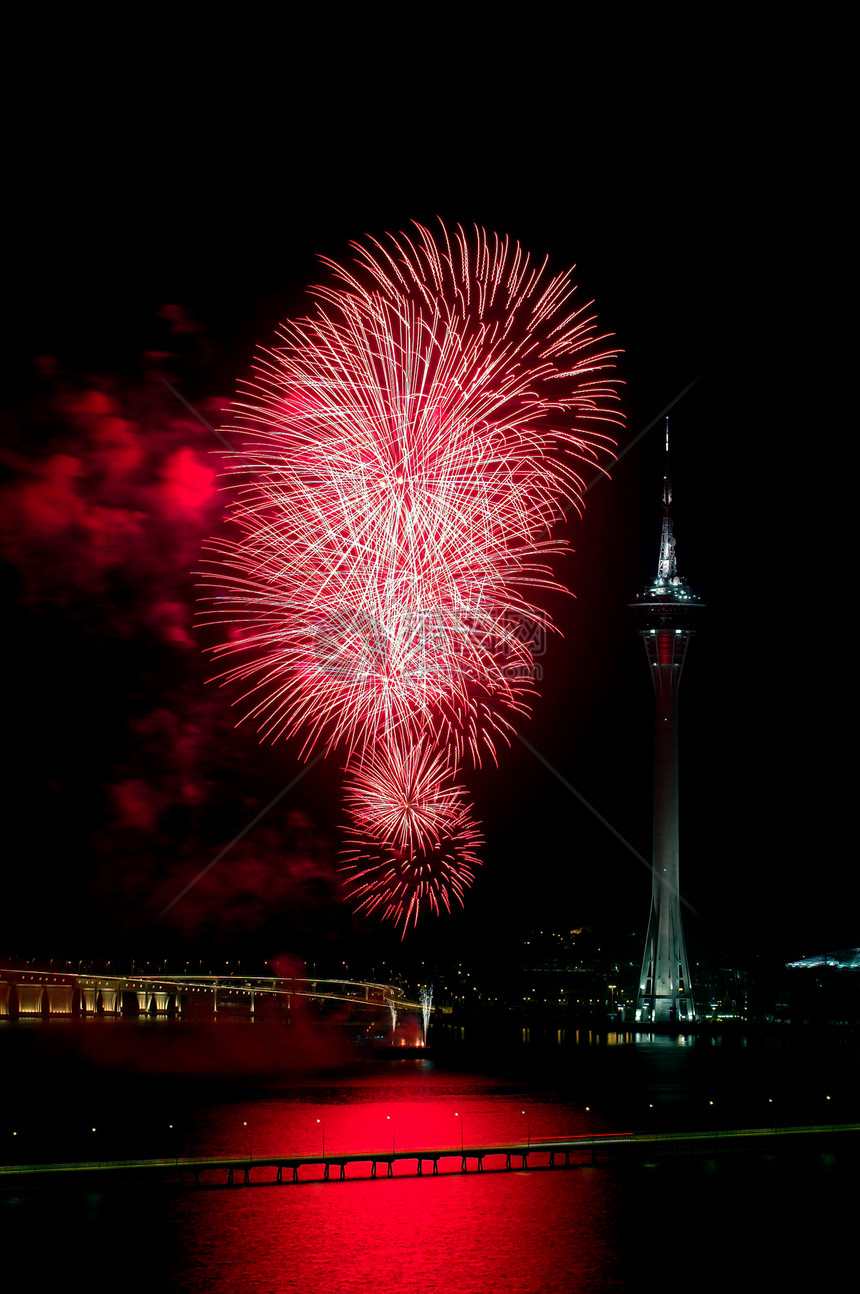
{"x": 667, "y": 614}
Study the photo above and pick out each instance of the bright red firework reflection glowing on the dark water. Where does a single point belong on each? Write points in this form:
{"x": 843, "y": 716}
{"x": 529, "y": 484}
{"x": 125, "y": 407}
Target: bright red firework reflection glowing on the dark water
{"x": 552, "y": 1230}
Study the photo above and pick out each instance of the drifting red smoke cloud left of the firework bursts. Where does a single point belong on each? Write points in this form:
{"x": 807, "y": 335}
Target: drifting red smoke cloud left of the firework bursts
{"x": 109, "y": 492}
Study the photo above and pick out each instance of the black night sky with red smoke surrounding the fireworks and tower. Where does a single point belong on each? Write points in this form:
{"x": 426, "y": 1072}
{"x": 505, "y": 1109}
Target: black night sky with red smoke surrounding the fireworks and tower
{"x": 161, "y": 241}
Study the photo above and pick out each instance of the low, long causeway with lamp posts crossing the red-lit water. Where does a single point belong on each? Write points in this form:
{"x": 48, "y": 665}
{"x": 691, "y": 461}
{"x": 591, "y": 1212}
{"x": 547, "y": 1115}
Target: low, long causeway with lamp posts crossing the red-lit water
{"x": 608, "y": 1147}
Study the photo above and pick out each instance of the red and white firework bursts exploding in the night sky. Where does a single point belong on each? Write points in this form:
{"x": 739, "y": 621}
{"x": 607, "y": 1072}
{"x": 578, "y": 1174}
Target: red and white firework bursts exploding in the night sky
{"x": 404, "y": 457}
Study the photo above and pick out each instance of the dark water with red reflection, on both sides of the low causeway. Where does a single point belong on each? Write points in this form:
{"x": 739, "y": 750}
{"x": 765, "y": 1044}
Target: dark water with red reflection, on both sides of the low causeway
{"x": 699, "y": 1223}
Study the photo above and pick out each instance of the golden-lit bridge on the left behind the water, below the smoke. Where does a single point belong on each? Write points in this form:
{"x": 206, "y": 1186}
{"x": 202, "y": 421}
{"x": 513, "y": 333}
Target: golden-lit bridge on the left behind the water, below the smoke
{"x": 33, "y": 993}
